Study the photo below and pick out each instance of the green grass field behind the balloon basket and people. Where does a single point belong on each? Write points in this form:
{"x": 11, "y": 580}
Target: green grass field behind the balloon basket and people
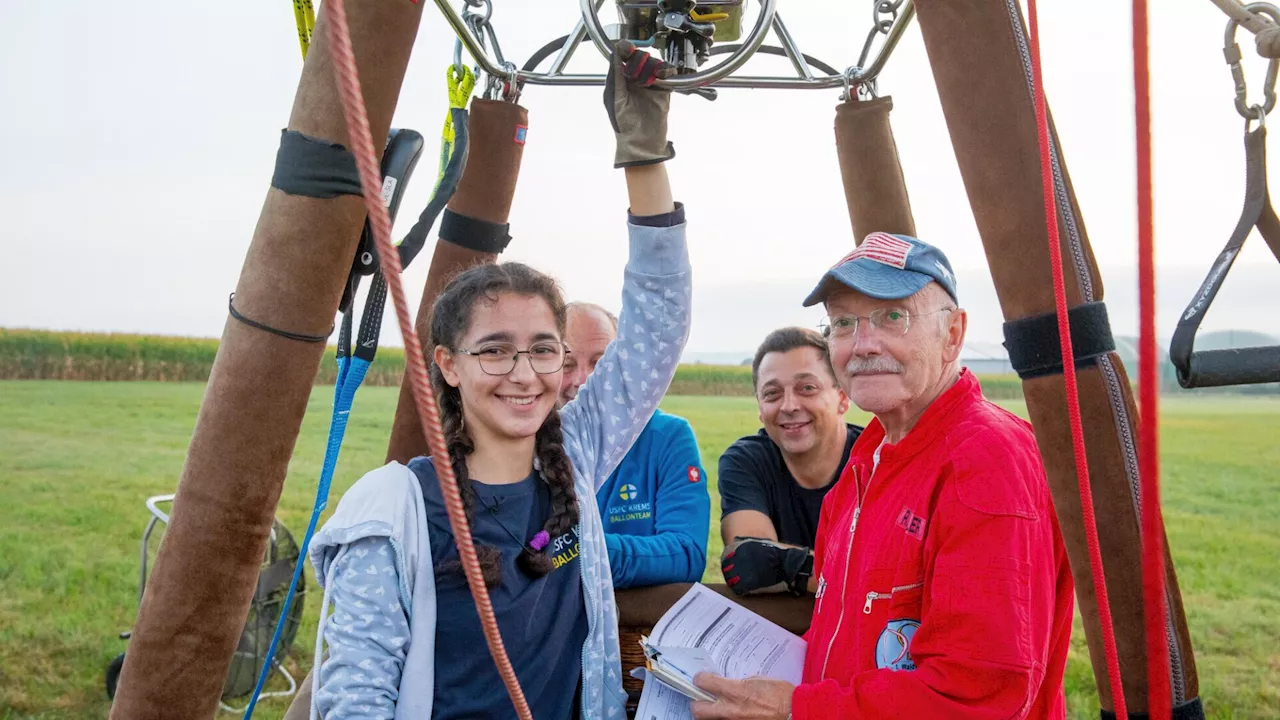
{"x": 77, "y": 461}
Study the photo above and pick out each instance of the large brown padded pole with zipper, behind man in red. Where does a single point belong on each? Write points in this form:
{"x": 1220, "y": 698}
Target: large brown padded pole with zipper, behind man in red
{"x": 979, "y": 53}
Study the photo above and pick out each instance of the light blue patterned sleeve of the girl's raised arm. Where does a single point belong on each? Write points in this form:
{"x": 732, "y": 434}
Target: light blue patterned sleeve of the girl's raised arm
{"x": 620, "y": 397}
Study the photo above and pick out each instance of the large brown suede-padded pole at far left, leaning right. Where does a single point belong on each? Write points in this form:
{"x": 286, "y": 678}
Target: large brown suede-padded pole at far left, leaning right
{"x": 199, "y": 594}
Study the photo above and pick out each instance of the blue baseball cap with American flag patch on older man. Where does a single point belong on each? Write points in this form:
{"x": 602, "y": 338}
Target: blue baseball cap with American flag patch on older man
{"x": 888, "y": 267}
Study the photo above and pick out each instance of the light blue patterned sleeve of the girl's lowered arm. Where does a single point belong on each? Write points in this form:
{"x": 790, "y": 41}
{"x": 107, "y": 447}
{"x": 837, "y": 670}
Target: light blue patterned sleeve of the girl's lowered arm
{"x": 368, "y": 635}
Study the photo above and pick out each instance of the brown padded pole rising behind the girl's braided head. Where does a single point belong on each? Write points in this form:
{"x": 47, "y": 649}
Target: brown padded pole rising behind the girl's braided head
{"x": 486, "y": 193}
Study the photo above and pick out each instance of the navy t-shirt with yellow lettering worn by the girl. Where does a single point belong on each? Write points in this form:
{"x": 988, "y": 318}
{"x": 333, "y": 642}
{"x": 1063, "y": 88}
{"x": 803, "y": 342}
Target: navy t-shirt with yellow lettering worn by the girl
{"x": 543, "y": 622}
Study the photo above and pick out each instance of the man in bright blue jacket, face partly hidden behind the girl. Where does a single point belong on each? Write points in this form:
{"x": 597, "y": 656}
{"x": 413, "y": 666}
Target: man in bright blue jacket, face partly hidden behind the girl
{"x": 655, "y": 507}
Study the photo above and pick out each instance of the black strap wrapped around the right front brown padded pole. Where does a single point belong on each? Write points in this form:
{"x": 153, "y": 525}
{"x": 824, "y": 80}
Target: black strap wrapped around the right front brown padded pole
{"x": 1036, "y": 350}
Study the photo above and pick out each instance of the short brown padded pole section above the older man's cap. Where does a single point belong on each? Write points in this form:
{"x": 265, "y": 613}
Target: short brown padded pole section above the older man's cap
{"x": 875, "y": 189}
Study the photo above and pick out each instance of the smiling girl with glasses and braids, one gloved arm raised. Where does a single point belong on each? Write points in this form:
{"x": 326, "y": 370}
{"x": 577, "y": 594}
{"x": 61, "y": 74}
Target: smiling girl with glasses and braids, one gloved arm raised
{"x": 405, "y": 639}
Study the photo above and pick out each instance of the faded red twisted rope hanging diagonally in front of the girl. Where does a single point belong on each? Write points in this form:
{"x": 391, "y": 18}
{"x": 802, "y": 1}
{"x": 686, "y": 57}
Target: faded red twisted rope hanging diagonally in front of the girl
{"x": 371, "y": 181}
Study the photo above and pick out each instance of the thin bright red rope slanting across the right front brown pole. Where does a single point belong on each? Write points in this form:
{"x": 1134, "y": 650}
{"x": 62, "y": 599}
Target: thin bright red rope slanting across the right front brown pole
{"x": 1073, "y": 400}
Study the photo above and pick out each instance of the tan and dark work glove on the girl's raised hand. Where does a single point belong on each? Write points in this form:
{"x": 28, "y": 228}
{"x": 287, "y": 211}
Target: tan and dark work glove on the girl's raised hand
{"x": 638, "y": 111}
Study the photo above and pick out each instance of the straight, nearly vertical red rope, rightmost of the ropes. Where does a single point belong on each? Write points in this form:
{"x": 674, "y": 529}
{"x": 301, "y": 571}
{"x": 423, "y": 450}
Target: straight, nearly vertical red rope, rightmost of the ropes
{"x": 1159, "y": 685}
